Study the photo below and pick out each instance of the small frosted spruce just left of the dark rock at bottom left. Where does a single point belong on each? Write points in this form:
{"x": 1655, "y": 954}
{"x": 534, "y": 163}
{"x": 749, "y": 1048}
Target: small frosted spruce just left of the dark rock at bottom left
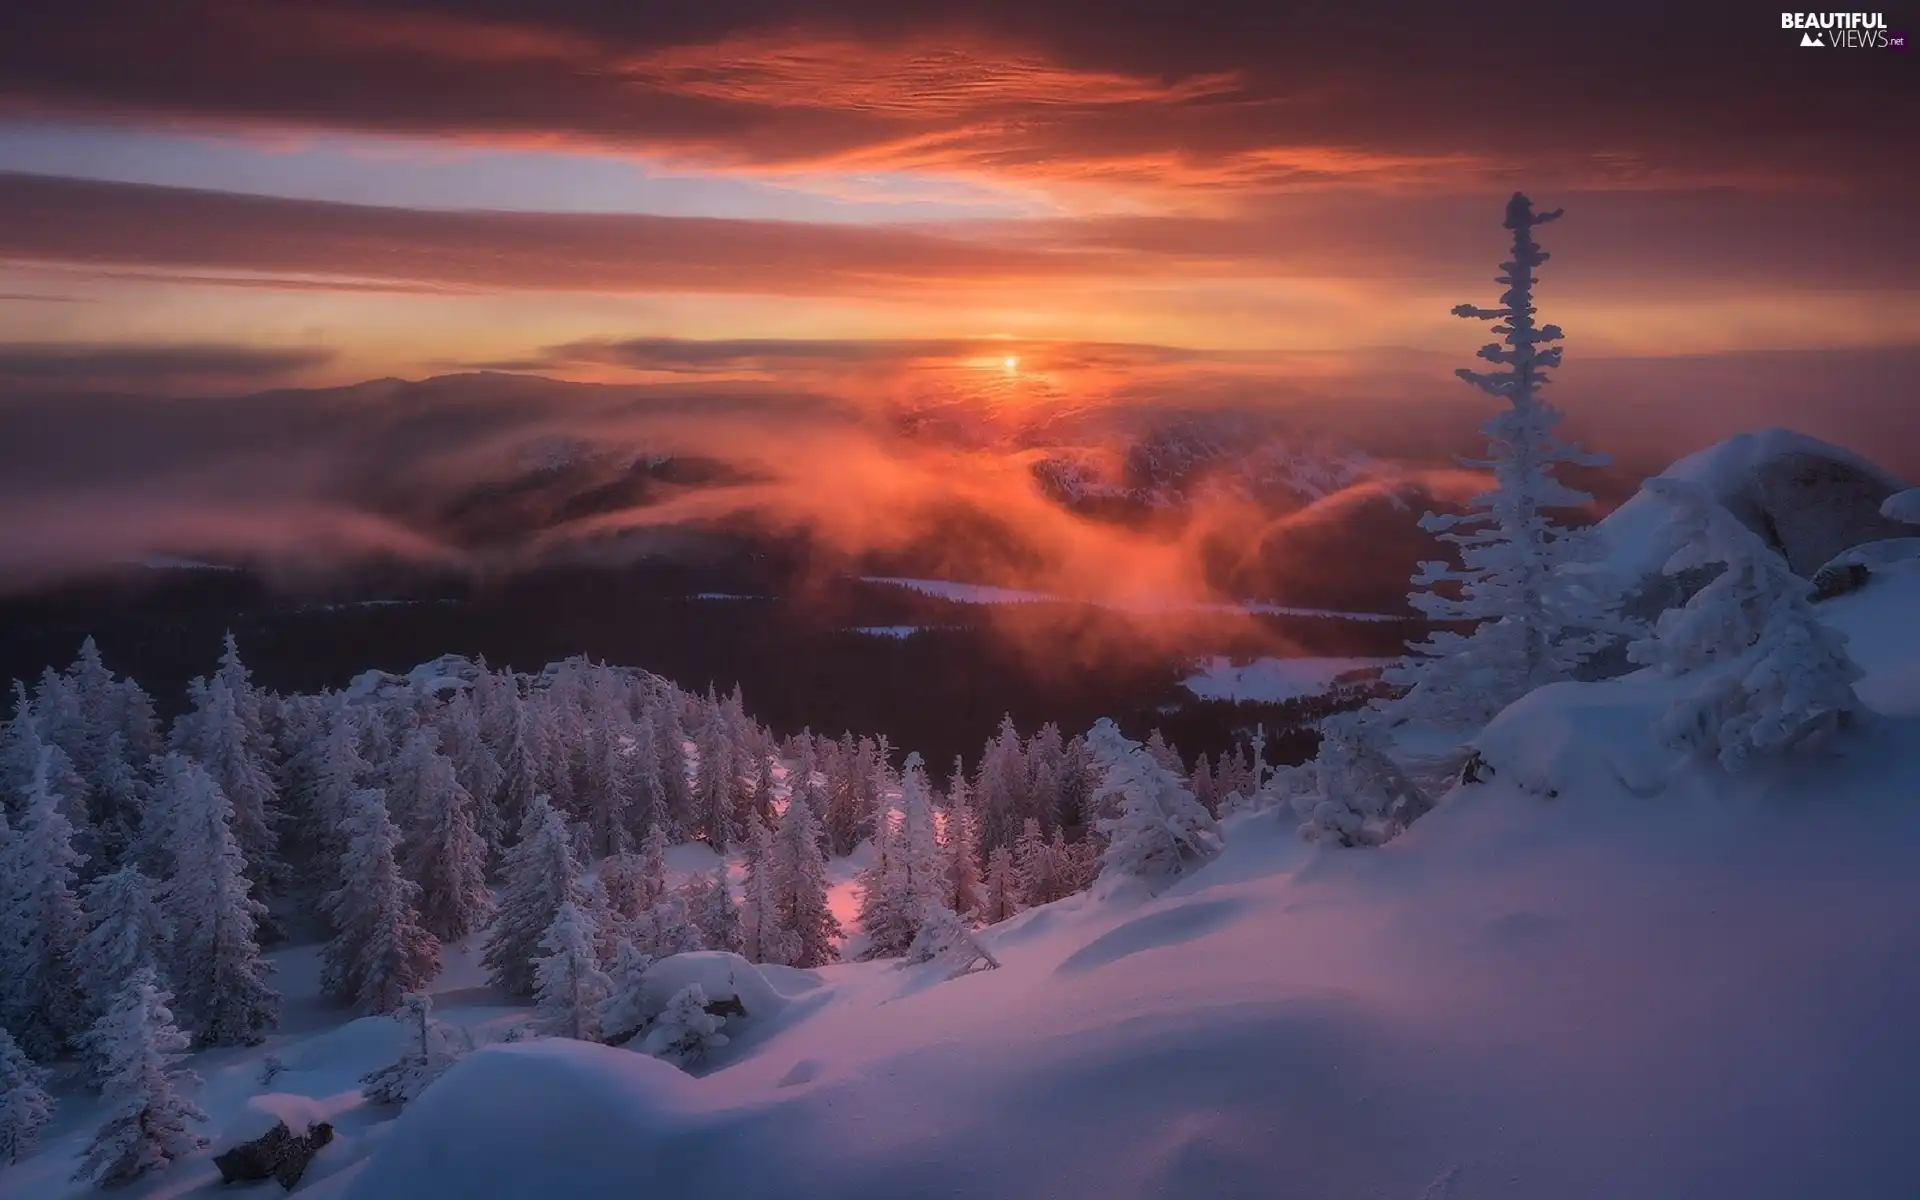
{"x": 149, "y": 1124}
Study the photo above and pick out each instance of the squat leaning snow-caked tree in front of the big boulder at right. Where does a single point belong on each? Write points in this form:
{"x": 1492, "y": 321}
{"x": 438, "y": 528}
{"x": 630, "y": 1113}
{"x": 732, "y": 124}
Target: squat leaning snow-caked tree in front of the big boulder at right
{"x": 1769, "y": 675}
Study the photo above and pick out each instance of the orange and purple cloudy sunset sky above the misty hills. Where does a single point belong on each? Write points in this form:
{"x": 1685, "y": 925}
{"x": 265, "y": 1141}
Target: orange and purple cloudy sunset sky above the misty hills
{"x": 1038, "y": 203}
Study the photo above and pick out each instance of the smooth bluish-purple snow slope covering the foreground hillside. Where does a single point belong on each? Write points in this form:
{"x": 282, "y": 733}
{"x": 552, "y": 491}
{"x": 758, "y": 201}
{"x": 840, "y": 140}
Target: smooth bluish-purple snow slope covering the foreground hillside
{"x": 1658, "y": 984}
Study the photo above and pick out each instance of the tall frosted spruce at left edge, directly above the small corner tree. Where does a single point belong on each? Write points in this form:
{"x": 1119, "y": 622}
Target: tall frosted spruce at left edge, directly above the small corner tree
{"x": 41, "y": 923}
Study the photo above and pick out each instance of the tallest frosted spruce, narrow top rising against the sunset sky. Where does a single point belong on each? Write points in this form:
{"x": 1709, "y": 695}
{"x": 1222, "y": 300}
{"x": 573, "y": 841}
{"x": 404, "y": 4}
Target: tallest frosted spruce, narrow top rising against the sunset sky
{"x": 1533, "y": 621}
